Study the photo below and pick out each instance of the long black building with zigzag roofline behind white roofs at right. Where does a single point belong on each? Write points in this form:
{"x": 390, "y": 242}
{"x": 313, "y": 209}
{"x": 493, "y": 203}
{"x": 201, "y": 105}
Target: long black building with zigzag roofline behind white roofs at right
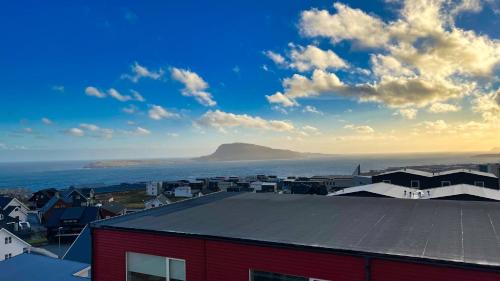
{"x": 425, "y": 180}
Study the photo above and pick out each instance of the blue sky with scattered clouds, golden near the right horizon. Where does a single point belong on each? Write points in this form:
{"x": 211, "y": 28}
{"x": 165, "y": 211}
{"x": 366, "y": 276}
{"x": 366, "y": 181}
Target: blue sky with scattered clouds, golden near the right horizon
{"x": 158, "y": 79}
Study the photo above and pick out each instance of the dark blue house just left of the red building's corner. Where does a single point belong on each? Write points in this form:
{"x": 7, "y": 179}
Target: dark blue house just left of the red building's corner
{"x": 67, "y": 223}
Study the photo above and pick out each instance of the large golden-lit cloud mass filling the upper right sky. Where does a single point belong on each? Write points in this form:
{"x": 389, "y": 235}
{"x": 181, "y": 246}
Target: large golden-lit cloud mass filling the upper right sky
{"x": 421, "y": 59}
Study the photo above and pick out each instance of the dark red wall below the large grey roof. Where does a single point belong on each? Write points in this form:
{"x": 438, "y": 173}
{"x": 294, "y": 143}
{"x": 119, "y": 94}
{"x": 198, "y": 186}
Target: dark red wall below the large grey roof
{"x": 223, "y": 261}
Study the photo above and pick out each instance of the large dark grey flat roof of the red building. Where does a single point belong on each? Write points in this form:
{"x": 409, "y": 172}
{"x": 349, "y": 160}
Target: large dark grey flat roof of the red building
{"x": 449, "y": 231}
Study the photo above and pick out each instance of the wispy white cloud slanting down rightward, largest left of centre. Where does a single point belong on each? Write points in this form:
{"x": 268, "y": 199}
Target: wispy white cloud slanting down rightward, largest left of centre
{"x": 194, "y": 86}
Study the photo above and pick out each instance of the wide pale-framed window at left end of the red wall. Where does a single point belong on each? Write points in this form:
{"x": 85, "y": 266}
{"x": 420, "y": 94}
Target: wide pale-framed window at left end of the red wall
{"x": 142, "y": 267}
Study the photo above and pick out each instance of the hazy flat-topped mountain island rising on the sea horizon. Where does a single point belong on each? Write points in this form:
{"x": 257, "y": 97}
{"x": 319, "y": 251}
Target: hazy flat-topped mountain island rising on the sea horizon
{"x": 248, "y": 151}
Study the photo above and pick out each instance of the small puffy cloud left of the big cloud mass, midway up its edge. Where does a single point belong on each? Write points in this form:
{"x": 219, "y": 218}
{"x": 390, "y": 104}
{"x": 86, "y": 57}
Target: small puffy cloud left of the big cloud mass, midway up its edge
{"x": 312, "y": 57}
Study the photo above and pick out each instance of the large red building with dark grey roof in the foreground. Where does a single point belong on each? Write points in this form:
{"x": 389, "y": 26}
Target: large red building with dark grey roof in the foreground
{"x": 261, "y": 237}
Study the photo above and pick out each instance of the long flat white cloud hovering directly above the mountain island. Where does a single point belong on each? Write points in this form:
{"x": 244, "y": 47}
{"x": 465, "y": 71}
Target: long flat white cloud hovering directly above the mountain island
{"x": 223, "y": 120}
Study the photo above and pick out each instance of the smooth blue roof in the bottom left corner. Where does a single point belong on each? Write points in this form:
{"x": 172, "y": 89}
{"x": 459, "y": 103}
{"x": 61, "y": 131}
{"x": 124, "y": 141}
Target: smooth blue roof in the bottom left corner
{"x": 30, "y": 267}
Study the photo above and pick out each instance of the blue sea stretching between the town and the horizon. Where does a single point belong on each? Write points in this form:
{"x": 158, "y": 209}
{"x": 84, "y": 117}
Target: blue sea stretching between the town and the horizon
{"x": 62, "y": 174}
